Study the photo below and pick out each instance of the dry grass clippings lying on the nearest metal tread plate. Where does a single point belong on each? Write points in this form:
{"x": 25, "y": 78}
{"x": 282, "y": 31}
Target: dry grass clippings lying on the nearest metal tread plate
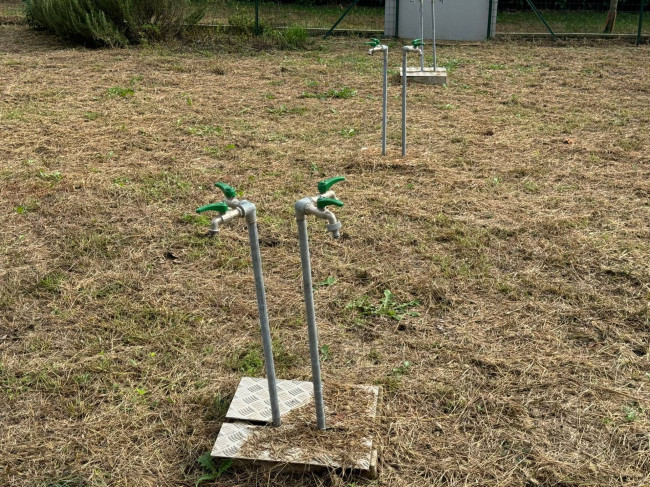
{"x": 350, "y": 413}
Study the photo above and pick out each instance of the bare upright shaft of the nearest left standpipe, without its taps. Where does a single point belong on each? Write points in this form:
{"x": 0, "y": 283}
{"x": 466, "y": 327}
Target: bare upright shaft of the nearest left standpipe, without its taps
{"x": 264, "y": 321}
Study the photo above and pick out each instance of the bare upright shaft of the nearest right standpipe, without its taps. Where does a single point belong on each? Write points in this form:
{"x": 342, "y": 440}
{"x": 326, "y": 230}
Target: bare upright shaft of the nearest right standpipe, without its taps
{"x": 311, "y": 322}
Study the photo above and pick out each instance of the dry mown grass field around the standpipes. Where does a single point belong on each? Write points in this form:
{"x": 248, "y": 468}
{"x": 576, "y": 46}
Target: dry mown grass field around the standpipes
{"x": 516, "y": 233}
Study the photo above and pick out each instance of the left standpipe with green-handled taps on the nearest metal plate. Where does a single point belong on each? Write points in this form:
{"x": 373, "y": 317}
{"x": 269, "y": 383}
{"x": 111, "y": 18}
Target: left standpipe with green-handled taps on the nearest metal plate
{"x": 229, "y": 209}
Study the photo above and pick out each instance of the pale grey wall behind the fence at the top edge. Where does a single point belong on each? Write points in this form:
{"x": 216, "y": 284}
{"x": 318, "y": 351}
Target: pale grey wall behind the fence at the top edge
{"x": 461, "y": 20}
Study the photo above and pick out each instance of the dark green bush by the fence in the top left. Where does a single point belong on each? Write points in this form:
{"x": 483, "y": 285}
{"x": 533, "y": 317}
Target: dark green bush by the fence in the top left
{"x": 113, "y": 22}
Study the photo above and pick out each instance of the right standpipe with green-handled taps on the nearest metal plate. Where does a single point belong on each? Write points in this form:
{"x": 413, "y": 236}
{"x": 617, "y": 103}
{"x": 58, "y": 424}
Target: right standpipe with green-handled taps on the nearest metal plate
{"x": 315, "y": 205}
